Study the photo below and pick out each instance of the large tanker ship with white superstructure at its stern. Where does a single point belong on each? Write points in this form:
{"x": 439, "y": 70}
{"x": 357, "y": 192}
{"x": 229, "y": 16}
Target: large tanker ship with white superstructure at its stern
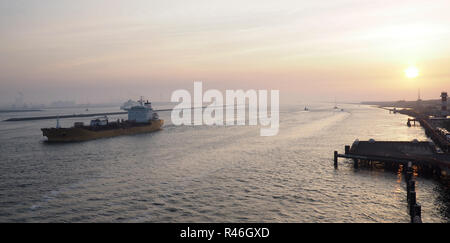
{"x": 141, "y": 119}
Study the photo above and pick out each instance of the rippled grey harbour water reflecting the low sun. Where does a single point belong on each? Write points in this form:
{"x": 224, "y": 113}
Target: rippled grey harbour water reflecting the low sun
{"x": 210, "y": 174}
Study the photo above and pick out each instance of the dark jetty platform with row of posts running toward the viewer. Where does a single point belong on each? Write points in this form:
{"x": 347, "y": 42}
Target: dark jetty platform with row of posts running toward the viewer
{"x": 410, "y": 157}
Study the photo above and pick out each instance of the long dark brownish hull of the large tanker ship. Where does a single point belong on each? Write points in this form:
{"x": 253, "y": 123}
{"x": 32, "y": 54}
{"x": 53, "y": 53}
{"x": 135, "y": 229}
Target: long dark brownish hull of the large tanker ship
{"x": 77, "y": 134}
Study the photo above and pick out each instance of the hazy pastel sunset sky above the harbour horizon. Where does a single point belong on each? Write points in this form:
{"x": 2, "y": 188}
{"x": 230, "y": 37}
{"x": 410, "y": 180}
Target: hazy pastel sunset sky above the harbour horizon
{"x": 106, "y": 50}
